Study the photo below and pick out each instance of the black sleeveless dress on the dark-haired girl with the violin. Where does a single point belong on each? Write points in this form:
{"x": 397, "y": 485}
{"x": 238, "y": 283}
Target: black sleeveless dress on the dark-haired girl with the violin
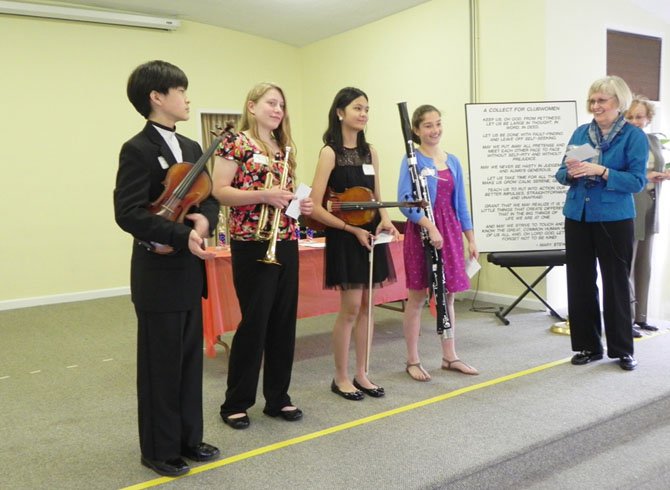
{"x": 347, "y": 263}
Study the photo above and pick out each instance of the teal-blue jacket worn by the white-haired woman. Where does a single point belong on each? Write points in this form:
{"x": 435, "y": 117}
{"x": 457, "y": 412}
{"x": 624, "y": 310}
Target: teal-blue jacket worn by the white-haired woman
{"x": 611, "y": 199}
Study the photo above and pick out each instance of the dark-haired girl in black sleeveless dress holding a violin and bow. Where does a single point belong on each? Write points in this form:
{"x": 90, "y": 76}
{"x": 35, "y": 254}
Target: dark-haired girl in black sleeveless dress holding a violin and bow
{"x": 345, "y": 161}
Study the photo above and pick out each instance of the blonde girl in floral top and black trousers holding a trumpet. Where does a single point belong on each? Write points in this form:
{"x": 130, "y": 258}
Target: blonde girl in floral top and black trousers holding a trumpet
{"x": 267, "y": 292}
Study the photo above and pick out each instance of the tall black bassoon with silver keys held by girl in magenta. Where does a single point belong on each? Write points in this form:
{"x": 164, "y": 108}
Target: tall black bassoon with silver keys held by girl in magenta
{"x": 433, "y": 255}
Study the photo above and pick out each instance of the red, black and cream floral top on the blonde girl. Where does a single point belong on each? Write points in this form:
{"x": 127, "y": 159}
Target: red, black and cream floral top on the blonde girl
{"x": 253, "y": 168}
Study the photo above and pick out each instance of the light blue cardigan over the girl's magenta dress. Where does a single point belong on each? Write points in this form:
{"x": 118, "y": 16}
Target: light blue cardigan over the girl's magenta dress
{"x": 458, "y": 201}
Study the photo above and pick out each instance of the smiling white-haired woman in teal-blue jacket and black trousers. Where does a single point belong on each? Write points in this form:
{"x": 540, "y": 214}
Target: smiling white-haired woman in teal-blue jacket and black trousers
{"x": 599, "y": 213}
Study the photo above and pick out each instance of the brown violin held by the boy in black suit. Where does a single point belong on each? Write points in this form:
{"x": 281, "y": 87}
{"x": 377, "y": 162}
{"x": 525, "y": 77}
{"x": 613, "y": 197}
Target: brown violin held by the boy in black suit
{"x": 186, "y": 185}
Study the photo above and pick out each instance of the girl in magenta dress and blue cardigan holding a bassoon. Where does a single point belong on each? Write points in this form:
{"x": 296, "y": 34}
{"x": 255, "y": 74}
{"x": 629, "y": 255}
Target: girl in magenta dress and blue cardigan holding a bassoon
{"x": 447, "y": 193}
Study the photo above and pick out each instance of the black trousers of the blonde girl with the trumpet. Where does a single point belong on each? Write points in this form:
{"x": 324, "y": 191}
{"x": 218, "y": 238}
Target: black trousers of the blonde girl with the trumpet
{"x": 268, "y": 298}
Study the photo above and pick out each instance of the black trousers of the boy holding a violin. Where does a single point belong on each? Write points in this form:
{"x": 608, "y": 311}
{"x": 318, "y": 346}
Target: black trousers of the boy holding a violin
{"x": 169, "y": 381}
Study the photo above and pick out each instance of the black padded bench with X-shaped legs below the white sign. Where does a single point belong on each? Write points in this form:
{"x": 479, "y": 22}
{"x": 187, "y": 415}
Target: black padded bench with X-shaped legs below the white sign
{"x": 542, "y": 258}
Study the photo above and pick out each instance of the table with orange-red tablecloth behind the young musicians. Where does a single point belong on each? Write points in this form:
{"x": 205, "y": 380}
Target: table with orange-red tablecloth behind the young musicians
{"x": 221, "y": 311}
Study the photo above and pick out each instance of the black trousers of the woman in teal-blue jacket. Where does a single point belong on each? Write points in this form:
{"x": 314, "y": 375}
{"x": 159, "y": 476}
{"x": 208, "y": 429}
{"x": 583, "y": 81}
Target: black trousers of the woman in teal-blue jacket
{"x": 611, "y": 245}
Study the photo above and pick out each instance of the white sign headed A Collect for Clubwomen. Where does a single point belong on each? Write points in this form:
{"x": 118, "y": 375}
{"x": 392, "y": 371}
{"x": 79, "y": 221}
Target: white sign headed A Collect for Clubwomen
{"x": 514, "y": 150}
